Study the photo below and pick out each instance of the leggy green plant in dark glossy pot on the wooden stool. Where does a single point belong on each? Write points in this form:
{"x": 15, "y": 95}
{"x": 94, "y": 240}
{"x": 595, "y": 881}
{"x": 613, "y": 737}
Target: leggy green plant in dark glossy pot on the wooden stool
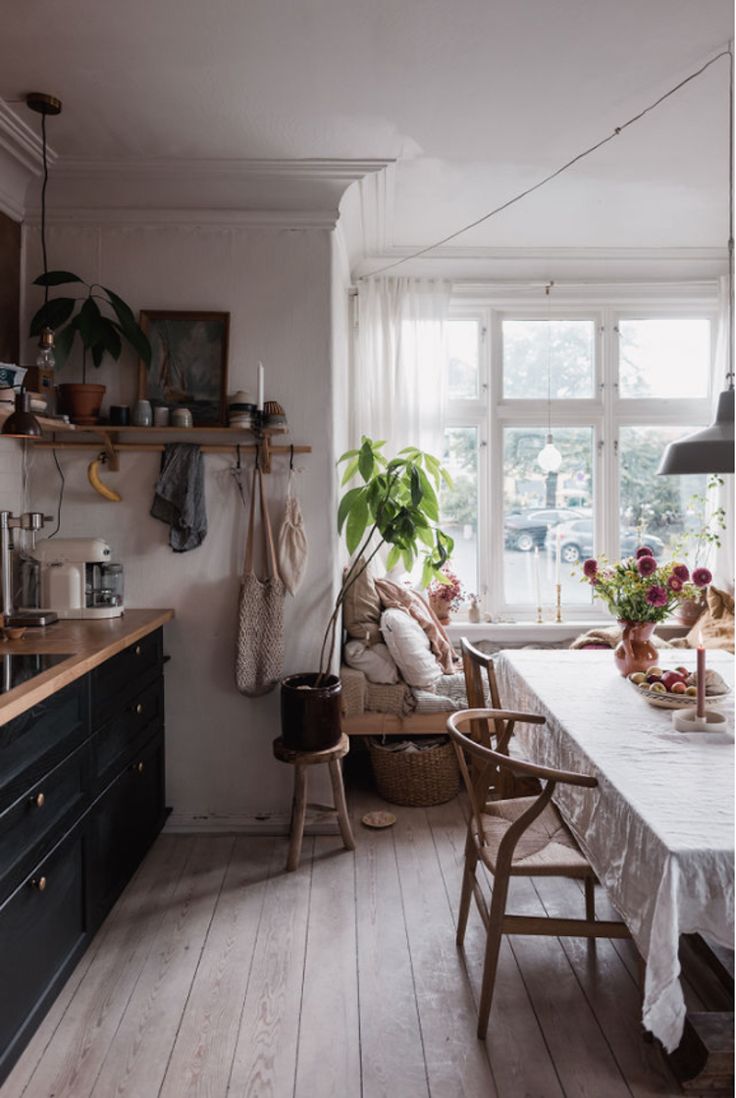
{"x": 396, "y": 506}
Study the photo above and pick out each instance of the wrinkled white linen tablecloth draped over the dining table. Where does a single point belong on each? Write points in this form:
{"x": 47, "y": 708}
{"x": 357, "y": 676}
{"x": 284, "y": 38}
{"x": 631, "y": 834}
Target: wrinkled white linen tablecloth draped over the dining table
{"x": 660, "y": 828}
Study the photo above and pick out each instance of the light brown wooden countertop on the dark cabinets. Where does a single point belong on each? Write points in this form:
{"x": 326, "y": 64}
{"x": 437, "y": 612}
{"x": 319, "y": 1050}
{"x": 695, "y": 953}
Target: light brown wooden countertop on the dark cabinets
{"x": 88, "y": 643}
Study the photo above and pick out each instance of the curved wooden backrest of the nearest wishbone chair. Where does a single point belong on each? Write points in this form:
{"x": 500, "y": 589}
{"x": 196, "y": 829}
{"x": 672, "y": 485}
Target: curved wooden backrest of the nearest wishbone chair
{"x": 486, "y": 761}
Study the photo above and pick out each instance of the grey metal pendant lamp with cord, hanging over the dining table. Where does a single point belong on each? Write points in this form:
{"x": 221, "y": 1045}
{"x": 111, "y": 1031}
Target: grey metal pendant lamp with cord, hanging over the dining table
{"x": 711, "y": 451}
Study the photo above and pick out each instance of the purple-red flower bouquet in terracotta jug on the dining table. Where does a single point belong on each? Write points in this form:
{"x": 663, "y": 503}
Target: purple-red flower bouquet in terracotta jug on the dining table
{"x": 640, "y": 593}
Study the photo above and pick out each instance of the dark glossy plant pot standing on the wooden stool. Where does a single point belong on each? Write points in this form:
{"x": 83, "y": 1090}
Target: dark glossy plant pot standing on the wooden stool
{"x": 311, "y": 715}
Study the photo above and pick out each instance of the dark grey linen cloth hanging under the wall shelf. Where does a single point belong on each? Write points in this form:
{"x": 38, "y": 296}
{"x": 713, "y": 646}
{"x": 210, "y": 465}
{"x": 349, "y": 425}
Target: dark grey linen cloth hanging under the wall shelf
{"x": 180, "y": 498}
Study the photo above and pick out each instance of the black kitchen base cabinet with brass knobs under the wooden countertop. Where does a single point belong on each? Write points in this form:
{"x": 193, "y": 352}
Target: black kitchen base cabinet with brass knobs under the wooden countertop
{"x": 82, "y": 800}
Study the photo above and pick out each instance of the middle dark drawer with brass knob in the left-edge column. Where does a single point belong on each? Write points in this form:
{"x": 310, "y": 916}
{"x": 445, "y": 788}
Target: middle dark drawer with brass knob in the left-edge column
{"x": 44, "y": 812}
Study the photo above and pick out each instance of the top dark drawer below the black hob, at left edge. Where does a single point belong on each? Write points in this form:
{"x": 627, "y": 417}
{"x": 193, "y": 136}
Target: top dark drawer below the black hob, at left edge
{"x": 41, "y": 737}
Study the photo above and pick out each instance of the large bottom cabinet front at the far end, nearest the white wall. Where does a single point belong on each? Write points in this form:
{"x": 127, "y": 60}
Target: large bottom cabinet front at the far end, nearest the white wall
{"x": 124, "y": 823}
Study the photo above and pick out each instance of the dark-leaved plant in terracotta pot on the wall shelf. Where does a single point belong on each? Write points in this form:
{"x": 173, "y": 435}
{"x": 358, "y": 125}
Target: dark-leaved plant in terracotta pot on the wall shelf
{"x": 101, "y": 333}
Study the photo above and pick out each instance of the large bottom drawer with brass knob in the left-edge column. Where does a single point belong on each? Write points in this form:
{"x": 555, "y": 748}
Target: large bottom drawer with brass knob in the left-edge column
{"x": 42, "y": 931}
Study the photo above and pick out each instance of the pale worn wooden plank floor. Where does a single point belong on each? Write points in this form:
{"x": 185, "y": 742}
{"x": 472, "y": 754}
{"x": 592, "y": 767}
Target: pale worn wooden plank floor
{"x": 218, "y": 974}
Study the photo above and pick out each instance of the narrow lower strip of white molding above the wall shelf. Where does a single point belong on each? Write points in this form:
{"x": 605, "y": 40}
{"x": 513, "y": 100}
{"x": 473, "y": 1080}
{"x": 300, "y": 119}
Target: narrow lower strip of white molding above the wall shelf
{"x": 224, "y": 219}
